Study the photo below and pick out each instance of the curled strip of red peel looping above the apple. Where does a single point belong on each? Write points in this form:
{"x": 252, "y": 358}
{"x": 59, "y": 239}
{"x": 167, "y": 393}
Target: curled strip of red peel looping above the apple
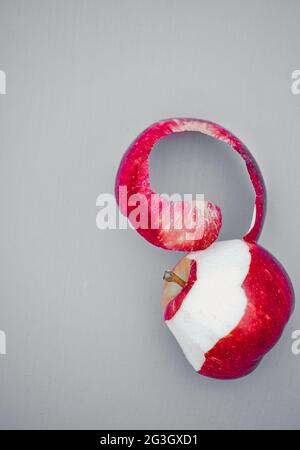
{"x": 194, "y": 235}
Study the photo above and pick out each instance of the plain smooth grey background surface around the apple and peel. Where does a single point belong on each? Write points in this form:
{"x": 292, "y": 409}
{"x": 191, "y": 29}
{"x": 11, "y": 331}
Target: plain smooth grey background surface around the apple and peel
{"x": 86, "y": 344}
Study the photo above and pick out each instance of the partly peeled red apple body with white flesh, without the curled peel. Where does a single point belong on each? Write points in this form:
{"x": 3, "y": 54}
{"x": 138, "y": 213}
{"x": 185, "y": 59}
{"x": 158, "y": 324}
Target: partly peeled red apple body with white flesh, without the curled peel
{"x": 227, "y": 317}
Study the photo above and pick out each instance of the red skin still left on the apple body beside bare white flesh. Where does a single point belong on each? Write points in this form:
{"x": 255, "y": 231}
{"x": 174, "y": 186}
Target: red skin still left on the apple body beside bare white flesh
{"x": 270, "y": 301}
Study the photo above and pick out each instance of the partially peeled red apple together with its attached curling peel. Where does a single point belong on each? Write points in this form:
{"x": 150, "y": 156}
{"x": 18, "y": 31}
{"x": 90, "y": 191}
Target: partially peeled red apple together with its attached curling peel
{"x": 226, "y": 302}
